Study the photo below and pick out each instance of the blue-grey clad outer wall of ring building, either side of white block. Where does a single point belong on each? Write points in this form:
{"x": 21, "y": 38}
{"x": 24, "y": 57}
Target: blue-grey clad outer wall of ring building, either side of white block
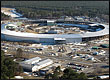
{"x": 41, "y": 40}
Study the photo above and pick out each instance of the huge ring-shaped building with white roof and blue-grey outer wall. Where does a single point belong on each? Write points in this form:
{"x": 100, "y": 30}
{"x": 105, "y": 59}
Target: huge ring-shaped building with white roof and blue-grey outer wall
{"x": 52, "y": 38}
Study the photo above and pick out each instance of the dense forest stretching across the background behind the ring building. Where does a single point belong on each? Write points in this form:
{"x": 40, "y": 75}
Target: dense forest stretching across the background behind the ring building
{"x": 36, "y": 9}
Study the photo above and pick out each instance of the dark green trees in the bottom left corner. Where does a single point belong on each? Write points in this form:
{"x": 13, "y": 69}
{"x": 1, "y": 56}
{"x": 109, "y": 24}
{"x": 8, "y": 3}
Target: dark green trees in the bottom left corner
{"x": 9, "y": 68}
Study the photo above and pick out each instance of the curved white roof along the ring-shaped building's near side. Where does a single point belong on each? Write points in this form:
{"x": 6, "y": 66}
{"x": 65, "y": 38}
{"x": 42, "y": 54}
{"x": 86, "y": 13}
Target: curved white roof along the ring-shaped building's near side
{"x": 105, "y": 31}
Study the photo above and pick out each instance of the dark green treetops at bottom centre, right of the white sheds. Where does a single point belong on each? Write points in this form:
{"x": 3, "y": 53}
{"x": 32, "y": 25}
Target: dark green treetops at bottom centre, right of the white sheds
{"x": 68, "y": 74}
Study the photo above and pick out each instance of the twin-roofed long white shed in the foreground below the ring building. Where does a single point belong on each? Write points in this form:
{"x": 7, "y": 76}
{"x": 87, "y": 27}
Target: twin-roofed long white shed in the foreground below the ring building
{"x": 35, "y": 64}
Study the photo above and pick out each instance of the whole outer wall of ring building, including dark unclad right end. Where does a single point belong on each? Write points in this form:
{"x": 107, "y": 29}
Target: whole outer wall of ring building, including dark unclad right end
{"x": 46, "y": 40}
